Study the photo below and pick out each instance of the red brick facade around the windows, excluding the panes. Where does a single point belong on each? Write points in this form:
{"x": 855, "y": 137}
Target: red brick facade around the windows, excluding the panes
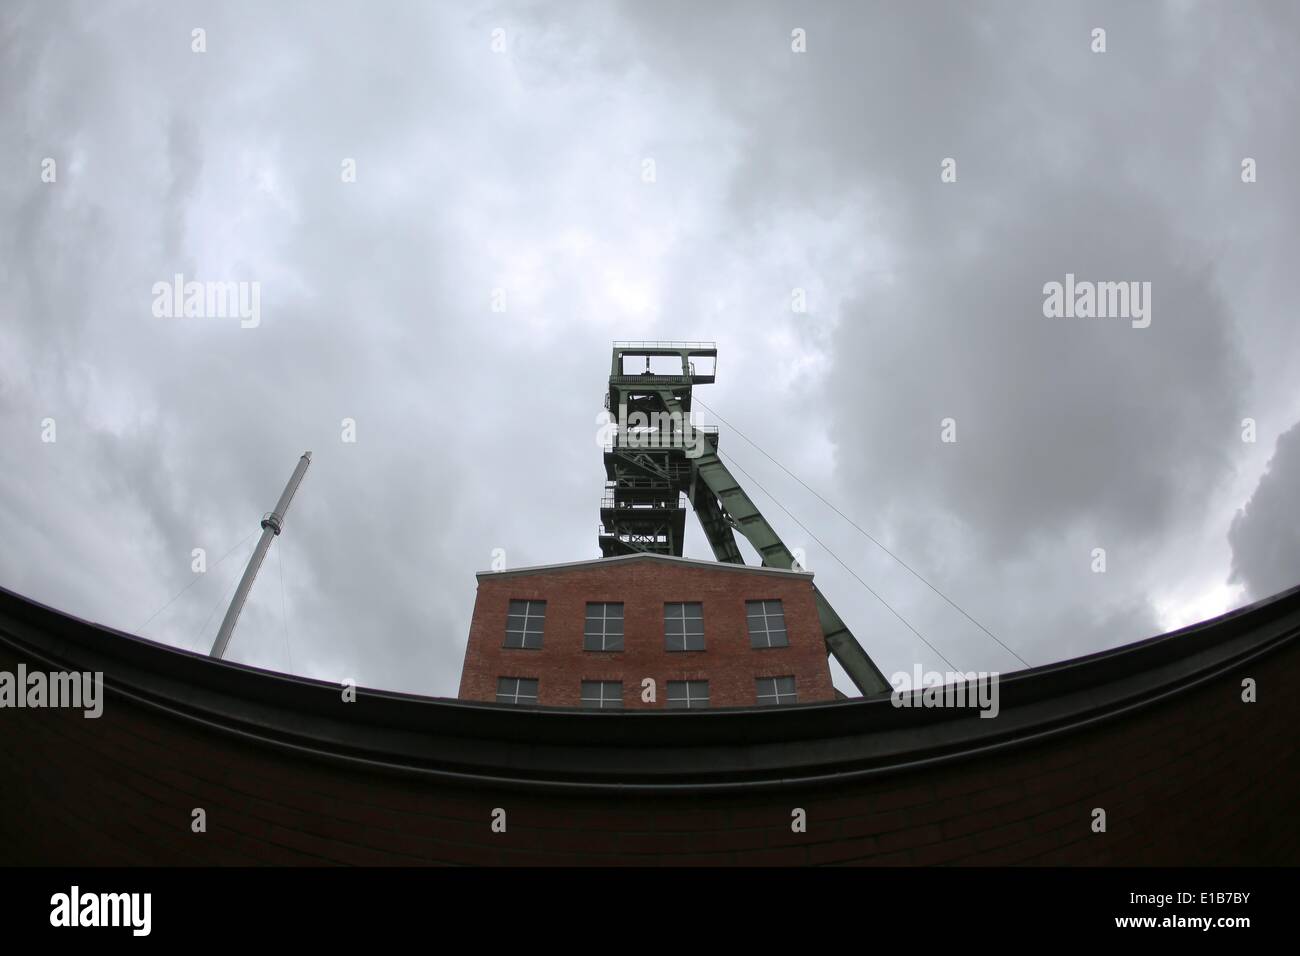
{"x": 644, "y": 585}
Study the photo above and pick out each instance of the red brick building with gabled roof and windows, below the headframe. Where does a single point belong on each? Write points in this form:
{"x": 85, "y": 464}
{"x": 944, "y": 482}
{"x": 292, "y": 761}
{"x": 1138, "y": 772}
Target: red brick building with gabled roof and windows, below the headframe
{"x": 591, "y": 634}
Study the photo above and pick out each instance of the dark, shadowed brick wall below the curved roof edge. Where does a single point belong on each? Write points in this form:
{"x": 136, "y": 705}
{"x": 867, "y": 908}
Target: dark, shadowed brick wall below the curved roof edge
{"x": 1198, "y": 780}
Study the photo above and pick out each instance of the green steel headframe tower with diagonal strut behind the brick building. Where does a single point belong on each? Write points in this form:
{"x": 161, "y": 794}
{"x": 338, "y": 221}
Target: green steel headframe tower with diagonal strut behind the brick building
{"x": 657, "y": 461}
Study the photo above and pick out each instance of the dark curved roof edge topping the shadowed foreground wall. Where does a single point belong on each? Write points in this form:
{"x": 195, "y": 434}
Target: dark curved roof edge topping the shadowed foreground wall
{"x": 640, "y": 751}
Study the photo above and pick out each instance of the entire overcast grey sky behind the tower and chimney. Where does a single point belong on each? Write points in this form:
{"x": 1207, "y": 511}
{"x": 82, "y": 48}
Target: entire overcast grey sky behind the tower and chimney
{"x": 518, "y": 176}
